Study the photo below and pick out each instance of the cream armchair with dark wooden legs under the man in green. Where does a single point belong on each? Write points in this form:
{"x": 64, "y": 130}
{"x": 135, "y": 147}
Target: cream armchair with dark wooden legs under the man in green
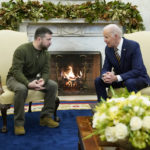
{"x": 10, "y": 40}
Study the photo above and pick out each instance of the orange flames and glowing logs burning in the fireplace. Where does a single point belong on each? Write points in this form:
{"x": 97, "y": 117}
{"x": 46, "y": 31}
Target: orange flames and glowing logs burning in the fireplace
{"x": 70, "y": 76}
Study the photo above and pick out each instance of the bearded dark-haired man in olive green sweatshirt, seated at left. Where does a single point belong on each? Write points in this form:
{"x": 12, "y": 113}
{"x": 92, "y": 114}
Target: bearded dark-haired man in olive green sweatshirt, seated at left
{"x": 29, "y": 61}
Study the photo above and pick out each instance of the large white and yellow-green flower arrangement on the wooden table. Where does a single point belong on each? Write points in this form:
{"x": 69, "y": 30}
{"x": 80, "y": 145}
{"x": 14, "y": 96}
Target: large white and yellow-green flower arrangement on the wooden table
{"x": 124, "y": 118}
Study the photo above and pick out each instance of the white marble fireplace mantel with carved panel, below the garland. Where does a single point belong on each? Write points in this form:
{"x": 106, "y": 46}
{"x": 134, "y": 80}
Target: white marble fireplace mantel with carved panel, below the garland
{"x": 70, "y": 35}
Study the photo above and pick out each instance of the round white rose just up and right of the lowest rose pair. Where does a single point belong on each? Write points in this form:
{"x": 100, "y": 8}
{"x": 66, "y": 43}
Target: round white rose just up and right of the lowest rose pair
{"x": 135, "y": 123}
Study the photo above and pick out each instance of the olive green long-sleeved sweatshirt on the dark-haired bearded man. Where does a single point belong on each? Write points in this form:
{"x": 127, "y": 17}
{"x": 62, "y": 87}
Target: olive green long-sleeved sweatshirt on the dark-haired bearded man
{"x": 28, "y": 62}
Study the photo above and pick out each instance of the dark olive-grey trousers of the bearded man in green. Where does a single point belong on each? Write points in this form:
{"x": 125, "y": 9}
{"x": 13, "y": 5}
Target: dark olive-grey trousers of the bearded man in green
{"x": 21, "y": 92}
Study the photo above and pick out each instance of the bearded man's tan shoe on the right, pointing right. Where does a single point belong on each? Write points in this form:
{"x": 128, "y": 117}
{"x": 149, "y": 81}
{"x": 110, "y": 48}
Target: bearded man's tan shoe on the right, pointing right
{"x": 49, "y": 122}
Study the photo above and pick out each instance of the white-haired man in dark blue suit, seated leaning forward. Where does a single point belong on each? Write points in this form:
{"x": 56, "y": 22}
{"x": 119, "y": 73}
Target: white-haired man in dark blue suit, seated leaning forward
{"x": 123, "y": 65}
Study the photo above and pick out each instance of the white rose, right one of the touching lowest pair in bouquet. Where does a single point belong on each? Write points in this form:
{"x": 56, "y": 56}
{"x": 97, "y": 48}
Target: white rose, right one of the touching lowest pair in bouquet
{"x": 121, "y": 131}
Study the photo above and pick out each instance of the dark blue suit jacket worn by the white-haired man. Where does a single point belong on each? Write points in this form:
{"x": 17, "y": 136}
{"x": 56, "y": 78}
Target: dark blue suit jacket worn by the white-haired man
{"x": 131, "y": 63}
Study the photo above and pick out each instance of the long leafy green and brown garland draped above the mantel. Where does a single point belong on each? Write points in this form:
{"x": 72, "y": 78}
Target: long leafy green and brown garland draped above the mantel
{"x": 91, "y": 11}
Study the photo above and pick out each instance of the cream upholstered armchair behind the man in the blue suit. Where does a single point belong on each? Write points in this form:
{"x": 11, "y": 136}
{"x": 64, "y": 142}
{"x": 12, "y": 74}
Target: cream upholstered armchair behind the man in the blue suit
{"x": 143, "y": 39}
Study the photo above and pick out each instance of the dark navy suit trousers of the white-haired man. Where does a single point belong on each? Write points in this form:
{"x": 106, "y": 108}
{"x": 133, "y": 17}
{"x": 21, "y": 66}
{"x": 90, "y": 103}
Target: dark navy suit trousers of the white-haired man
{"x": 135, "y": 85}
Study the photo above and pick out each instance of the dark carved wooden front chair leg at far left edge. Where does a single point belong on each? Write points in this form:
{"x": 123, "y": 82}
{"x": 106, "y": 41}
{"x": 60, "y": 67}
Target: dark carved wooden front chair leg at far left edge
{"x": 4, "y": 117}
